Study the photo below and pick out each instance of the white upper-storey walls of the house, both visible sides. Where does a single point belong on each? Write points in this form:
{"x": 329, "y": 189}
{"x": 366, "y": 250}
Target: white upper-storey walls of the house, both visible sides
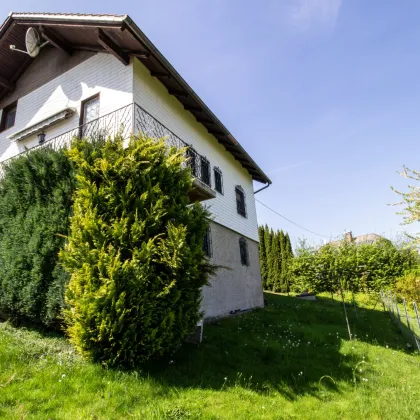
{"x": 118, "y": 86}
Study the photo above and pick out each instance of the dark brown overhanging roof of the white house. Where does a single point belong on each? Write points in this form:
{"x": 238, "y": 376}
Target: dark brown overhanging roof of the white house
{"x": 118, "y": 35}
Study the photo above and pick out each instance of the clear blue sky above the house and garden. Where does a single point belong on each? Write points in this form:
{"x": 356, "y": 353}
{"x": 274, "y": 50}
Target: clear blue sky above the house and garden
{"x": 324, "y": 95}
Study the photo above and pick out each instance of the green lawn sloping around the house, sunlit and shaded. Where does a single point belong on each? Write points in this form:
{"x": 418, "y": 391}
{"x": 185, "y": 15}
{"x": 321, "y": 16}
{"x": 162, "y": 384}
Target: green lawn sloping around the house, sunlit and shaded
{"x": 289, "y": 360}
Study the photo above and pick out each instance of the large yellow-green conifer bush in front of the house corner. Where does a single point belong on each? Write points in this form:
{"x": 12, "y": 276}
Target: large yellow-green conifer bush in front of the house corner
{"x": 134, "y": 253}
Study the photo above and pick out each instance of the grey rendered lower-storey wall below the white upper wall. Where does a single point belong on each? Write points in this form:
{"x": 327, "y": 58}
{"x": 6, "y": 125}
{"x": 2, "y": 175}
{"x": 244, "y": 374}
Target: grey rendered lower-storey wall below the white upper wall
{"x": 237, "y": 286}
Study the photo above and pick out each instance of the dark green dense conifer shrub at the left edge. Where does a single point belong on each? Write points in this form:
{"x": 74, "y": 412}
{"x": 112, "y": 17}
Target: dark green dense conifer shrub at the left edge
{"x": 35, "y": 202}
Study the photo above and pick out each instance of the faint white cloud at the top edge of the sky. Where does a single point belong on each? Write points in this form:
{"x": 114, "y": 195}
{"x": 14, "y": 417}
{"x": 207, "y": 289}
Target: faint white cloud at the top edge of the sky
{"x": 307, "y": 14}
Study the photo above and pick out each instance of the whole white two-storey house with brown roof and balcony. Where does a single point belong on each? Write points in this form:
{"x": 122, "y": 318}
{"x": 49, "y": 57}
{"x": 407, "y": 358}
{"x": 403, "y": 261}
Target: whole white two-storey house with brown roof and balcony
{"x": 100, "y": 75}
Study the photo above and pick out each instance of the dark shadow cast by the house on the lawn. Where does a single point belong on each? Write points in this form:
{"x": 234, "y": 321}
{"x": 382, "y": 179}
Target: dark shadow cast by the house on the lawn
{"x": 290, "y": 346}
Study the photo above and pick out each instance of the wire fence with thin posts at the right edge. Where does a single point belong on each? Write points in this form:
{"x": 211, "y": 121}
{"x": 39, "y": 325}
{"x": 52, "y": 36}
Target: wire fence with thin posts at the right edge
{"x": 405, "y": 315}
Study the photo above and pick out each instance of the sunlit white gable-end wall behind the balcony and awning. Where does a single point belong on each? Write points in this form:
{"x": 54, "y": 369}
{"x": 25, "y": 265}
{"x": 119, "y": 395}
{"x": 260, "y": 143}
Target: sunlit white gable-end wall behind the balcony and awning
{"x": 101, "y": 73}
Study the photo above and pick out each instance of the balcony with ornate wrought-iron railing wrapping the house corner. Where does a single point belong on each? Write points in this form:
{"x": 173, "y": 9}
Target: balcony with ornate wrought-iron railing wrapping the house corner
{"x": 134, "y": 119}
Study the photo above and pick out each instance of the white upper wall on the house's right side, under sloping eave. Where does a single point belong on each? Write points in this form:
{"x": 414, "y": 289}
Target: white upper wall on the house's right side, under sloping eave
{"x": 151, "y": 95}
